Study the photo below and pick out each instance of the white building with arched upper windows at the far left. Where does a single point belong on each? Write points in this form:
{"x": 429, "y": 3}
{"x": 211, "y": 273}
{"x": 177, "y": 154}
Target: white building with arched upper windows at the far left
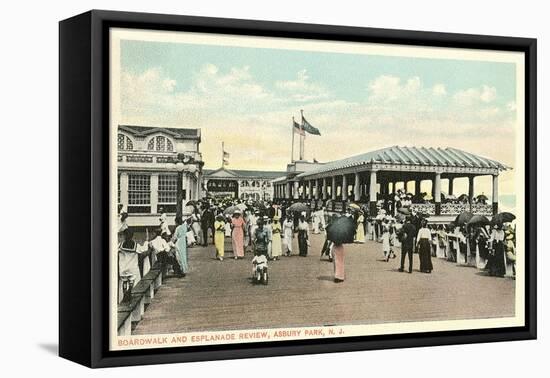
{"x": 148, "y": 173}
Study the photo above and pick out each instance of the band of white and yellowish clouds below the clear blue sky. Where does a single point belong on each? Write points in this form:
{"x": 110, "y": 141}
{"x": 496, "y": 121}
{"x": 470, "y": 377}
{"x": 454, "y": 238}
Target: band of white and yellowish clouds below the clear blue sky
{"x": 254, "y": 120}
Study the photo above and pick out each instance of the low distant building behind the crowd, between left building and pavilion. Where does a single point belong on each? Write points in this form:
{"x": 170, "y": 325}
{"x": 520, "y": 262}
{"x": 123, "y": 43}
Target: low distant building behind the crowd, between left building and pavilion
{"x": 238, "y": 183}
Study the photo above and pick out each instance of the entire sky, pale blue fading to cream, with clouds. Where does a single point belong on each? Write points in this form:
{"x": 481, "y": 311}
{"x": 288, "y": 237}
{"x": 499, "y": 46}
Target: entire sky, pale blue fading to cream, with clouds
{"x": 246, "y": 98}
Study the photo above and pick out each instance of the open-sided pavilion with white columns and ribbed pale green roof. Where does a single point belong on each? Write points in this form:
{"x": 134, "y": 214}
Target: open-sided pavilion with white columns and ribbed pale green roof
{"x": 372, "y": 175}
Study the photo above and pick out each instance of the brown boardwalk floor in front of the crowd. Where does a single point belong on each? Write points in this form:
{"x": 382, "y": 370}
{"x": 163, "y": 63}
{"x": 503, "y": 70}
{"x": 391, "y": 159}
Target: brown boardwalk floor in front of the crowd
{"x": 218, "y": 295}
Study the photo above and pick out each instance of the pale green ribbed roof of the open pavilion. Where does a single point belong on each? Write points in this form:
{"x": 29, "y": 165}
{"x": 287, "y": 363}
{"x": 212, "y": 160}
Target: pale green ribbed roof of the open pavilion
{"x": 419, "y": 156}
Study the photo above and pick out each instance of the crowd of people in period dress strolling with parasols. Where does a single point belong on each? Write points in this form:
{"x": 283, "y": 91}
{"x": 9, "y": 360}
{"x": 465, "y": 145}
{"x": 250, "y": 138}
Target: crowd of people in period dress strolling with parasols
{"x": 267, "y": 229}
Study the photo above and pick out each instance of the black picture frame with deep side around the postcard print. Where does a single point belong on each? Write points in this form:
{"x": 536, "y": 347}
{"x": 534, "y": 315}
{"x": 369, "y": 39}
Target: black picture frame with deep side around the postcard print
{"x": 84, "y": 195}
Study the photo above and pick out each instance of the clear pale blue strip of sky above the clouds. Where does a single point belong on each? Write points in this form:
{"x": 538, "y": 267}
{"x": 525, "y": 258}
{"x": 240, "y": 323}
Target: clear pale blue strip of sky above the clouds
{"x": 346, "y": 75}
